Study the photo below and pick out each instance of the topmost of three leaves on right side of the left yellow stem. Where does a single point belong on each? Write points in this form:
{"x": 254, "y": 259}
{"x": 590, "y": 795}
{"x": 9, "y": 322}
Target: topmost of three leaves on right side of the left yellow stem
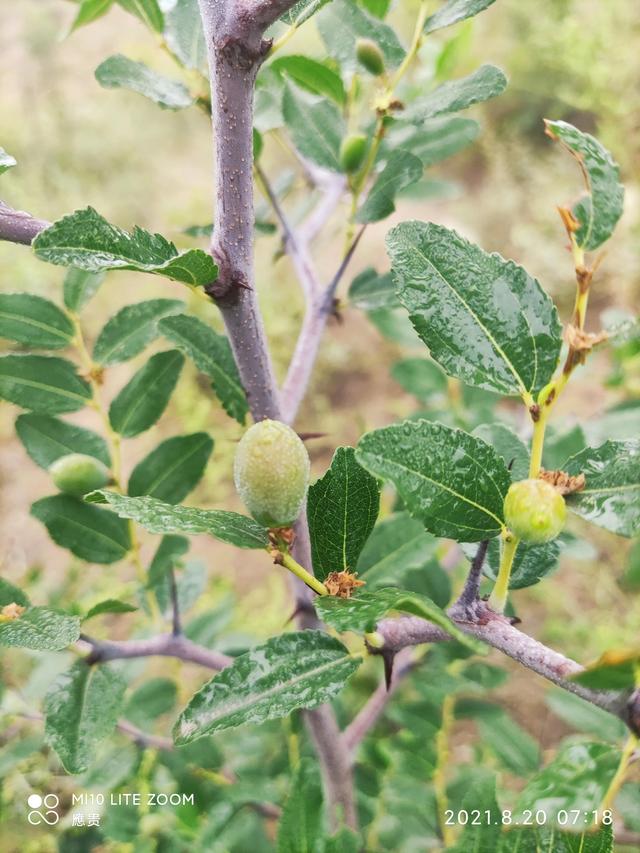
{"x": 129, "y": 331}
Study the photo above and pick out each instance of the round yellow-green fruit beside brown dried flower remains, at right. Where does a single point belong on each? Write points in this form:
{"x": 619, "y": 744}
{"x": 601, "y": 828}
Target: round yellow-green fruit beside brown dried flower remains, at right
{"x": 534, "y": 511}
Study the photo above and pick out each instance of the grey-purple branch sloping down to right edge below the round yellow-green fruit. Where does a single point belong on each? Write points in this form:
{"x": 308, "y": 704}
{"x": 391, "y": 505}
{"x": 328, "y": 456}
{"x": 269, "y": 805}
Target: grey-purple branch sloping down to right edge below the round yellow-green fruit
{"x": 498, "y": 632}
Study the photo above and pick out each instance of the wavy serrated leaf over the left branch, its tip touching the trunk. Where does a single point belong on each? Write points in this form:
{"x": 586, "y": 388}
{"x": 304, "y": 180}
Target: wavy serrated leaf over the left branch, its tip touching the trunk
{"x": 86, "y": 240}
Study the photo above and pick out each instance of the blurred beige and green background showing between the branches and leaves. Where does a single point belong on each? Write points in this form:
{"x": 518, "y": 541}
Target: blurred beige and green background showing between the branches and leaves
{"x": 79, "y": 144}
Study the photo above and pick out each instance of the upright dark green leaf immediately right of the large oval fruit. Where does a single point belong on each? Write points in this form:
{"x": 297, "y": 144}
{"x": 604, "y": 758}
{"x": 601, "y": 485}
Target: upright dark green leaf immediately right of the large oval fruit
{"x": 342, "y": 508}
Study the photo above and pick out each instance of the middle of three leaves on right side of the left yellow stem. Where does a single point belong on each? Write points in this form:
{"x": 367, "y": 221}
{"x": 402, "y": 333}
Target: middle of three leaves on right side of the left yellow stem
{"x": 145, "y": 397}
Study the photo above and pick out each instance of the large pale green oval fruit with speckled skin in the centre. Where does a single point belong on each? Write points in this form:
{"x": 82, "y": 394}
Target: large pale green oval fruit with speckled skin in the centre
{"x": 271, "y": 473}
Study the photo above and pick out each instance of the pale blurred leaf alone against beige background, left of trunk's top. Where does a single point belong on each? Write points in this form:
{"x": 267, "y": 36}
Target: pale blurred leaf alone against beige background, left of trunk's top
{"x": 120, "y": 72}
